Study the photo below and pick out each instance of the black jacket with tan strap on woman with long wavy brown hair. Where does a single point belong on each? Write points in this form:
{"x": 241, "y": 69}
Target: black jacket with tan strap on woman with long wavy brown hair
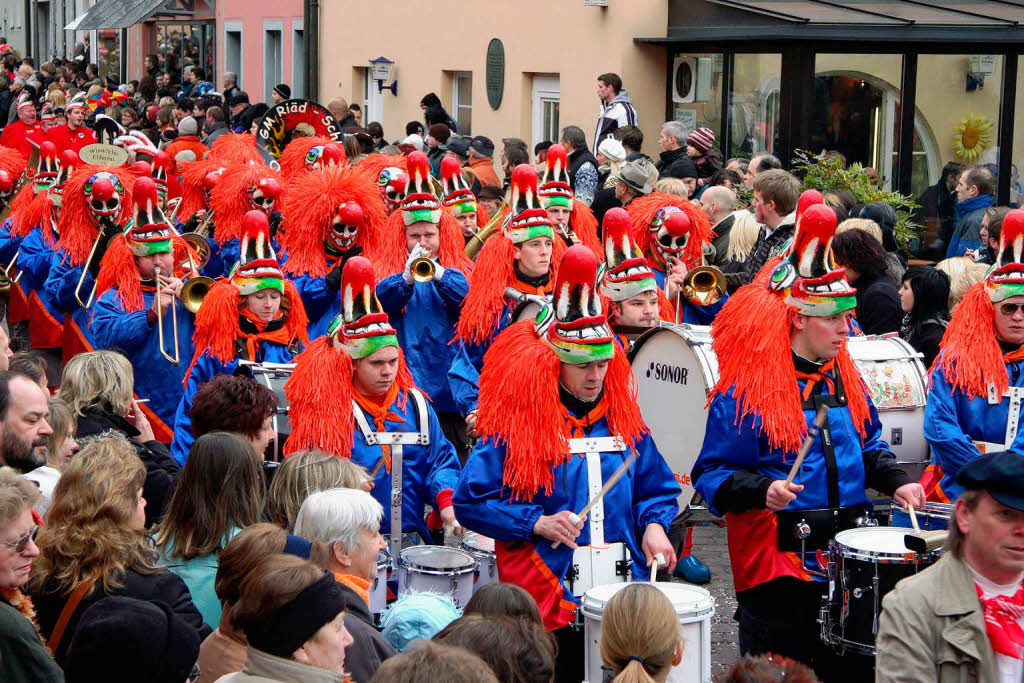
{"x": 163, "y": 586}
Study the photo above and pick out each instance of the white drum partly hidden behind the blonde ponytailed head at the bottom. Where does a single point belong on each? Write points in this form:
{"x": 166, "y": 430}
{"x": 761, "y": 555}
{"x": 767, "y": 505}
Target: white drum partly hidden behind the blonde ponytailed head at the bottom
{"x": 695, "y": 607}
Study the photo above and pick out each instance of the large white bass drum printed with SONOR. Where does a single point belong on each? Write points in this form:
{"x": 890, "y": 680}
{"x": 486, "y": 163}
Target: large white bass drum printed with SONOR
{"x": 676, "y": 369}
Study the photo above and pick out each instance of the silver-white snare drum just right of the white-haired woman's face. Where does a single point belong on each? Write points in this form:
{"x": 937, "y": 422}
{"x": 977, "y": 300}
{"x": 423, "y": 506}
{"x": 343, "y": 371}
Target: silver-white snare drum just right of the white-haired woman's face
{"x": 438, "y": 570}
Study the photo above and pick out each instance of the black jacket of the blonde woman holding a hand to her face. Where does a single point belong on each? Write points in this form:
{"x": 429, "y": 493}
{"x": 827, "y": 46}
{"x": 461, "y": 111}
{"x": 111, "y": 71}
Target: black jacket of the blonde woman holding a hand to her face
{"x": 161, "y": 469}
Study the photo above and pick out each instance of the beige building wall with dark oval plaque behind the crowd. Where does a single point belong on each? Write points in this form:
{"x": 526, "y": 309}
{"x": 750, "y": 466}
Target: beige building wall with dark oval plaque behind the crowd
{"x": 562, "y": 38}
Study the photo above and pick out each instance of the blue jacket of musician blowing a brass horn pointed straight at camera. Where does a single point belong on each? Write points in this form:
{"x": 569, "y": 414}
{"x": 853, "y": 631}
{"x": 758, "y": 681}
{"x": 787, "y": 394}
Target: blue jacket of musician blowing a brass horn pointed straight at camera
{"x": 424, "y": 315}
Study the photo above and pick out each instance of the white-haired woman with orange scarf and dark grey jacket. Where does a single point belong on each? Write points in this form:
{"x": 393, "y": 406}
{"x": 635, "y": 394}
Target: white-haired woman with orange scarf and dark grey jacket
{"x": 346, "y": 525}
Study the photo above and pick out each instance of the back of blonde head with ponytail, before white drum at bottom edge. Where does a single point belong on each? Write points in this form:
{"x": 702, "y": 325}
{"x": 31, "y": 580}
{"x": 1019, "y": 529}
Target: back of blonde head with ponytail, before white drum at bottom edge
{"x": 641, "y": 636}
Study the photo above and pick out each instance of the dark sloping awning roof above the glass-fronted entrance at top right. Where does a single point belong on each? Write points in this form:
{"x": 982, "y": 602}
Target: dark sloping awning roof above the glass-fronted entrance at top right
{"x": 874, "y": 21}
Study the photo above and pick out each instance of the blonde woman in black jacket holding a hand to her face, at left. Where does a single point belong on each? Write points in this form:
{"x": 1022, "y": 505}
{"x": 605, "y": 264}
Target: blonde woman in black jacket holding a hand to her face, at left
{"x": 98, "y": 387}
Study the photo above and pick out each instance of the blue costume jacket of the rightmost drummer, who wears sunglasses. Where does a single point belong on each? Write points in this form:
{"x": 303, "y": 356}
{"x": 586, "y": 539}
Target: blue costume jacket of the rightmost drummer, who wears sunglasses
{"x": 954, "y": 423}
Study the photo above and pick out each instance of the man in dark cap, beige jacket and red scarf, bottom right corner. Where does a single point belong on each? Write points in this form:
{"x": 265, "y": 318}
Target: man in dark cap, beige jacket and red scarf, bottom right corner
{"x": 961, "y": 619}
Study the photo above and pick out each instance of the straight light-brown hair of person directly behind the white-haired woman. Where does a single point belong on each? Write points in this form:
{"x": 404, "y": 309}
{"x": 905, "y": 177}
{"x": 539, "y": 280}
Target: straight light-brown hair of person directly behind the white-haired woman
{"x": 309, "y": 473}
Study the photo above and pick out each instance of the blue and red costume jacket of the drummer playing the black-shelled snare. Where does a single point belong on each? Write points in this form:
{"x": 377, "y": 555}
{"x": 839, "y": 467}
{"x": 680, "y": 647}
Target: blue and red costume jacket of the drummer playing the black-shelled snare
{"x": 737, "y": 466}
